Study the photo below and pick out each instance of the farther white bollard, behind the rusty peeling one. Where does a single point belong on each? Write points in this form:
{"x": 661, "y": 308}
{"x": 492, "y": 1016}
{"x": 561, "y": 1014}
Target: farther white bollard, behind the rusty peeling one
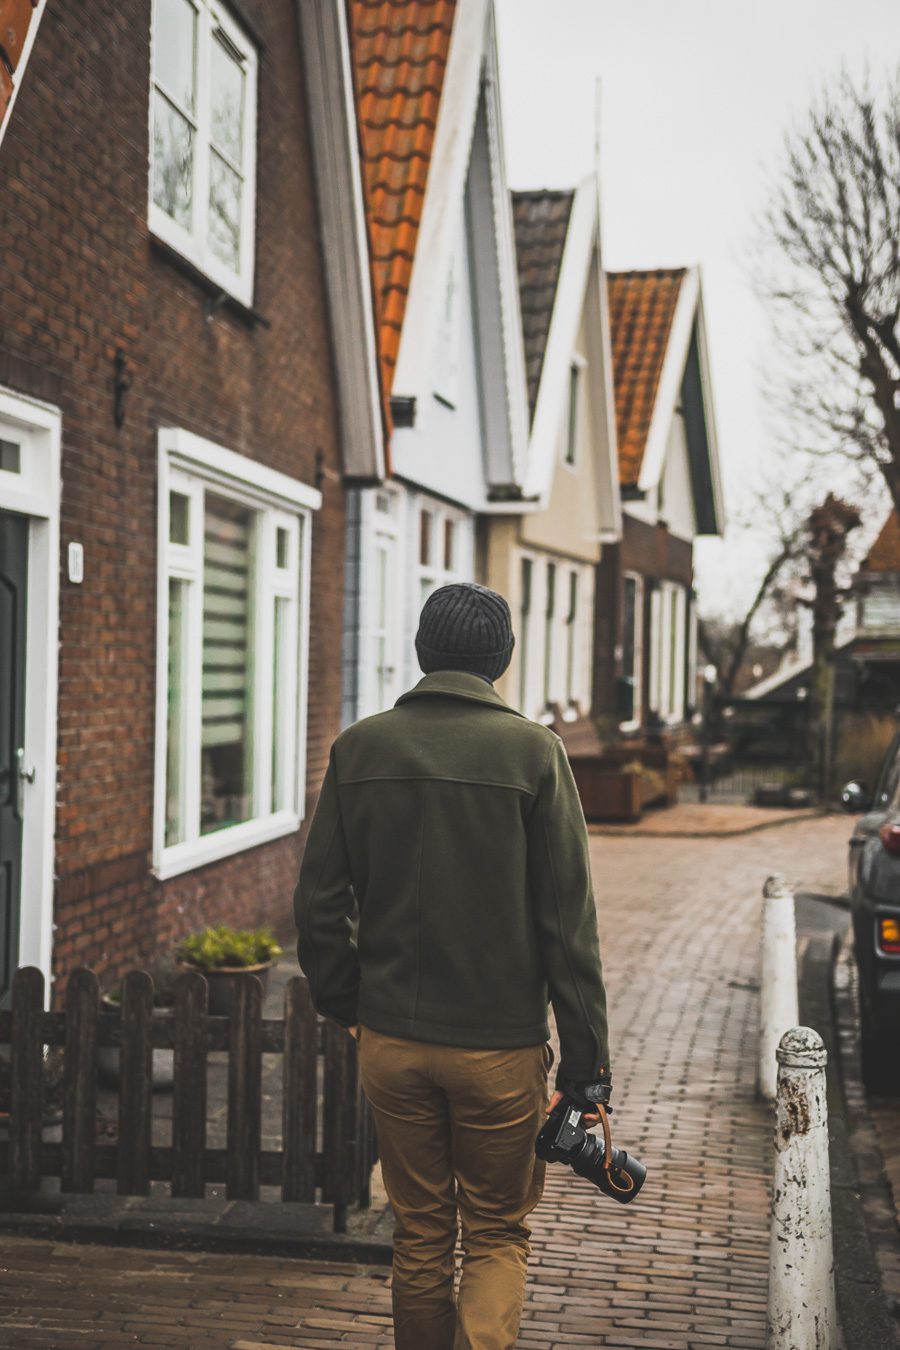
{"x": 778, "y": 978}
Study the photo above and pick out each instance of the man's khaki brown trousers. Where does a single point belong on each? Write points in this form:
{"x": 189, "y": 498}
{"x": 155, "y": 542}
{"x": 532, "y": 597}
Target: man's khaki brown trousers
{"x": 457, "y": 1139}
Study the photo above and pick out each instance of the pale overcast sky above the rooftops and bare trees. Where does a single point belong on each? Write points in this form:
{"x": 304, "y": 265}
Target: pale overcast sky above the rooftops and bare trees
{"x": 696, "y": 99}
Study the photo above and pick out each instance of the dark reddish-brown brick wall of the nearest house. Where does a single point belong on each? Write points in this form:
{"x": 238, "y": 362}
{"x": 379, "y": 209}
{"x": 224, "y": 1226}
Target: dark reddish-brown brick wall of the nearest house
{"x": 79, "y": 279}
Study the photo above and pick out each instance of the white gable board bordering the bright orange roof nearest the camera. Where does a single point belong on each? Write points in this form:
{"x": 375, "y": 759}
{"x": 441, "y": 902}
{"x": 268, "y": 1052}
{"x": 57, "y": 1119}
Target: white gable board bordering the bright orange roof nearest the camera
{"x": 445, "y": 188}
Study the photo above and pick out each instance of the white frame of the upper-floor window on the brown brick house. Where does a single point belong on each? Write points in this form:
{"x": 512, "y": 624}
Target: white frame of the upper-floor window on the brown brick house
{"x": 194, "y": 244}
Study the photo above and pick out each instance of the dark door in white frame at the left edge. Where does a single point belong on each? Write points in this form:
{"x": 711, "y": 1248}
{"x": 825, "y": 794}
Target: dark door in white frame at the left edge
{"x": 14, "y": 569}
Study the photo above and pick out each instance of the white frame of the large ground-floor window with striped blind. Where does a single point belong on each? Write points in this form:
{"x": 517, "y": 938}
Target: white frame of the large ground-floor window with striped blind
{"x": 191, "y": 465}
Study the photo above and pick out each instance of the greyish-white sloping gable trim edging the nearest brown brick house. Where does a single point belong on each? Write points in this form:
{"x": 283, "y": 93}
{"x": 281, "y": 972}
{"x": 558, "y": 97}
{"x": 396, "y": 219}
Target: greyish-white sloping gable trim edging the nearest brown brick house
{"x": 330, "y": 95}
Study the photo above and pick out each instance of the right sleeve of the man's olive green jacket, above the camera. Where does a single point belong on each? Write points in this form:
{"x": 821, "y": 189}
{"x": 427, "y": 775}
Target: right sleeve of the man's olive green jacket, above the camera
{"x": 566, "y": 920}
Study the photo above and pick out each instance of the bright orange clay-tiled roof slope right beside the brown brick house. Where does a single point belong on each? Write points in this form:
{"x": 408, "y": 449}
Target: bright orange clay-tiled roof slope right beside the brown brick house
{"x": 399, "y": 52}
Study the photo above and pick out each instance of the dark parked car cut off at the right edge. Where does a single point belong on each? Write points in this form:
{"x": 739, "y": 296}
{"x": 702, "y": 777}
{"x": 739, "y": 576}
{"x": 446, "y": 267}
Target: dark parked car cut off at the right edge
{"x": 875, "y": 896}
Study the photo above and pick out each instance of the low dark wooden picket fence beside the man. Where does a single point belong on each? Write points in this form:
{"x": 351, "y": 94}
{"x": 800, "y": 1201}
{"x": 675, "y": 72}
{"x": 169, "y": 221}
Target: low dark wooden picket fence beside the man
{"x": 338, "y": 1174}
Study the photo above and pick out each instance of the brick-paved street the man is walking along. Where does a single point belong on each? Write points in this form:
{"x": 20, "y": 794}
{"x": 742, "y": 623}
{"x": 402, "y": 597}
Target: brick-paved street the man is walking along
{"x": 685, "y": 1267}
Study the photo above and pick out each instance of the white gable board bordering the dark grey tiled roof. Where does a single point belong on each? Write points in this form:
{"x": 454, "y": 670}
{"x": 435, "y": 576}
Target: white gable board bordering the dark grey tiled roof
{"x": 581, "y": 241}
